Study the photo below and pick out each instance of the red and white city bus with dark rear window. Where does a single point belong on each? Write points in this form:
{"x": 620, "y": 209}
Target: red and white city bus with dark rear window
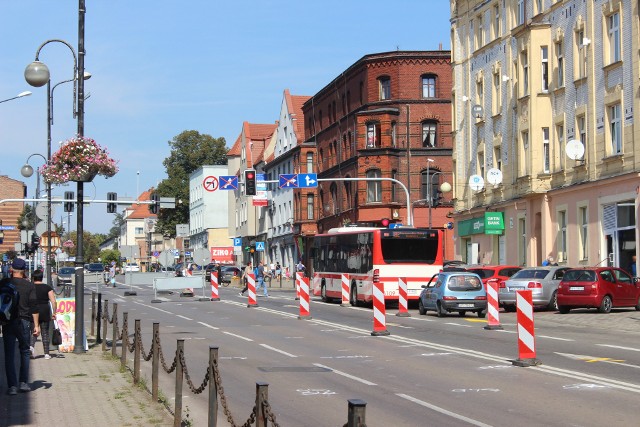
{"x": 369, "y": 255}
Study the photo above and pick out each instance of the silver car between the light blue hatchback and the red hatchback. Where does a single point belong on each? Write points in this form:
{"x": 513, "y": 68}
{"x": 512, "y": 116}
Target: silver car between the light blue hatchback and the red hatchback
{"x": 542, "y": 281}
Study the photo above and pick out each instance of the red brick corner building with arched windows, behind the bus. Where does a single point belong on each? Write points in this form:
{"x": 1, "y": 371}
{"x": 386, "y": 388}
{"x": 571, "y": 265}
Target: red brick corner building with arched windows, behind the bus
{"x": 383, "y": 117}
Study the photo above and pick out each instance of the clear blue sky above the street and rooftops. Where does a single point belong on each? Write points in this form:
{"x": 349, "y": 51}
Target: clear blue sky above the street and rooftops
{"x": 161, "y": 67}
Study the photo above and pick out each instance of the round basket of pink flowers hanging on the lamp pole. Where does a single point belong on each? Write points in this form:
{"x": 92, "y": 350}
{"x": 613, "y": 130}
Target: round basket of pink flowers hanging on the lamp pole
{"x": 79, "y": 159}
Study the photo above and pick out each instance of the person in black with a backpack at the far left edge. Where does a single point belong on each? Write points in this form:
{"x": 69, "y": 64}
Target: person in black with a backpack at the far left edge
{"x": 22, "y": 324}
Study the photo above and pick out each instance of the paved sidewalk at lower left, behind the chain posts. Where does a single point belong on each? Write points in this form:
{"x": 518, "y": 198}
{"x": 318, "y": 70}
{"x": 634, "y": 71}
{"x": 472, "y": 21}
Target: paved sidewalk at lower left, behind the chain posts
{"x": 79, "y": 389}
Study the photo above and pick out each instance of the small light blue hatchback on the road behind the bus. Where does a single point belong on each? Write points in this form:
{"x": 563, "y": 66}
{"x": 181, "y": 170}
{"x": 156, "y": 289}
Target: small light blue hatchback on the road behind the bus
{"x": 456, "y": 291}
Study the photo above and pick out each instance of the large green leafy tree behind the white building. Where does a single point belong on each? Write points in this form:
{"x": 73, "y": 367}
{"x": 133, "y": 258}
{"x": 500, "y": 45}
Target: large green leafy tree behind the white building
{"x": 189, "y": 151}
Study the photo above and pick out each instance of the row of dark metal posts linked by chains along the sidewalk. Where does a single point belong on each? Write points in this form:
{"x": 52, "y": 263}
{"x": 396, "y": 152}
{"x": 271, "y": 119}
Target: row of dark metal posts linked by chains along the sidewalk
{"x": 261, "y": 413}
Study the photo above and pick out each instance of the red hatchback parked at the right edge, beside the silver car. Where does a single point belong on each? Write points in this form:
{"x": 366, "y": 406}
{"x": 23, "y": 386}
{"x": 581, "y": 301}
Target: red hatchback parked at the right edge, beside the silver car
{"x": 602, "y": 287}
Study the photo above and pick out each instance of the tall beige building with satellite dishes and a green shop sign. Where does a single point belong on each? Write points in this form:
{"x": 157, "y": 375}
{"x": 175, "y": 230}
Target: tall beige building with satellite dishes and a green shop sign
{"x": 546, "y": 151}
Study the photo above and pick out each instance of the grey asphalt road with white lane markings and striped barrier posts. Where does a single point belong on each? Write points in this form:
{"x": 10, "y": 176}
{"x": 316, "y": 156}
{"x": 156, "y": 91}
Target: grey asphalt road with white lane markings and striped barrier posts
{"x": 428, "y": 371}
